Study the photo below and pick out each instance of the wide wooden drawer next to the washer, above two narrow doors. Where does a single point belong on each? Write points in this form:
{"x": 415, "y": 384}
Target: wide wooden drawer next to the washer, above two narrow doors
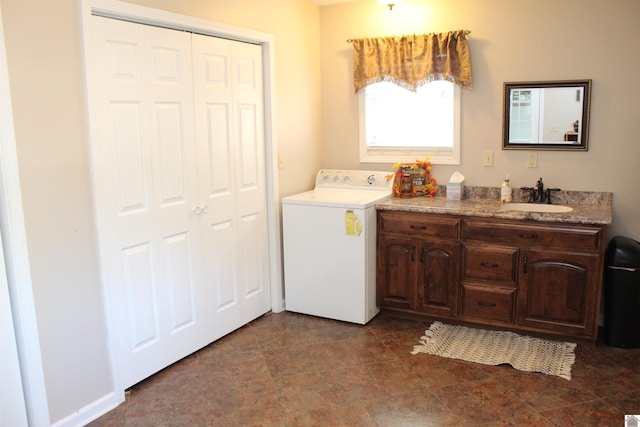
{"x": 418, "y": 225}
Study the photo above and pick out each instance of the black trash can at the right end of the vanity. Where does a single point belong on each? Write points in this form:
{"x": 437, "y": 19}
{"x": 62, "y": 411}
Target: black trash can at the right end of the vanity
{"x": 622, "y": 293}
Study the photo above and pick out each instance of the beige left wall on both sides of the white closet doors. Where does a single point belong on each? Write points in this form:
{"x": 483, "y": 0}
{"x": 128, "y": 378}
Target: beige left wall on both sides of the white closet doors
{"x": 44, "y": 50}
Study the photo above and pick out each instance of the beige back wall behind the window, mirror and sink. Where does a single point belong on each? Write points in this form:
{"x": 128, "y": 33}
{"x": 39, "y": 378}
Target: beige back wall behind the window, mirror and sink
{"x": 509, "y": 41}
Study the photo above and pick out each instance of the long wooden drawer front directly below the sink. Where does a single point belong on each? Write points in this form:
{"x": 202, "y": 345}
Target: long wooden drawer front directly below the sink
{"x": 517, "y": 234}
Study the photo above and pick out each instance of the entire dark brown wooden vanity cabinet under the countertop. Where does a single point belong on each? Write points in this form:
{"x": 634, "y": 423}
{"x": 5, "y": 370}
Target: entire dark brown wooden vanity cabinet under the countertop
{"x": 530, "y": 276}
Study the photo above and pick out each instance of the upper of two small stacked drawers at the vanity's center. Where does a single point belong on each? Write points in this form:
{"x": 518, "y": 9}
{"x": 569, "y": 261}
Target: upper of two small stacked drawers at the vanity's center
{"x": 491, "y": 263}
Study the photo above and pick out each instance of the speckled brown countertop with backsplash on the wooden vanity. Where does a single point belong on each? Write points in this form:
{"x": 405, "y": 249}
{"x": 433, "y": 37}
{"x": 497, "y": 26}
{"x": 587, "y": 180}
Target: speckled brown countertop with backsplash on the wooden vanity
{"x": 588, "y": 207}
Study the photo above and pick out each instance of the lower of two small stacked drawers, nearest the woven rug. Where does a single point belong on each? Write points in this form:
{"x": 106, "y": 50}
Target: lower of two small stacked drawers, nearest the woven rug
{"x": 488, "y": 303}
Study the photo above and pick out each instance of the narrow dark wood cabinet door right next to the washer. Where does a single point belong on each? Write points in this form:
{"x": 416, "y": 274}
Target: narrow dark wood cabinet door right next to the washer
{"x": 395, "y": 278}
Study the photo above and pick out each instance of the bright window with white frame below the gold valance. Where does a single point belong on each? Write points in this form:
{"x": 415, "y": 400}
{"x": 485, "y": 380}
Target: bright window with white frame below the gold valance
{"x": 397, "y": 125}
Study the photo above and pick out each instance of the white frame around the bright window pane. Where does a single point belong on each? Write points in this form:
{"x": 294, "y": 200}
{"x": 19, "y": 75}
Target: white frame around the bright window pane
{"x": 437, "y": 155}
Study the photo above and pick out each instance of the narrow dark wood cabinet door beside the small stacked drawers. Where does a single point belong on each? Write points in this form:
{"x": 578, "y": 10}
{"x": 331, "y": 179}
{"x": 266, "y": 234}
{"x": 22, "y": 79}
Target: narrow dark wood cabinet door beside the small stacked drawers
{"x": 438, "y": 277}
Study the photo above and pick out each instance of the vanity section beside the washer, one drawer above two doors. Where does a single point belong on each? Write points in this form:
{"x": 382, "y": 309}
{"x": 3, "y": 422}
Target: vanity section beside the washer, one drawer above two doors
{"x": 418, "y": 263}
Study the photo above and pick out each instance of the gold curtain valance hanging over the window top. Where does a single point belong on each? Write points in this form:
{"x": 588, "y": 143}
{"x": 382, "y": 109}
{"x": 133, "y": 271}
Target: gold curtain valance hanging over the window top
{"x": 412, "y": 60}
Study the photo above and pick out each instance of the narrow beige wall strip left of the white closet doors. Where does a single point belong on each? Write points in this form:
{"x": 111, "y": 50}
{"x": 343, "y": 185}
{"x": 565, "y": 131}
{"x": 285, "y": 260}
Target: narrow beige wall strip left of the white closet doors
{"x": 43, "y": 43}
